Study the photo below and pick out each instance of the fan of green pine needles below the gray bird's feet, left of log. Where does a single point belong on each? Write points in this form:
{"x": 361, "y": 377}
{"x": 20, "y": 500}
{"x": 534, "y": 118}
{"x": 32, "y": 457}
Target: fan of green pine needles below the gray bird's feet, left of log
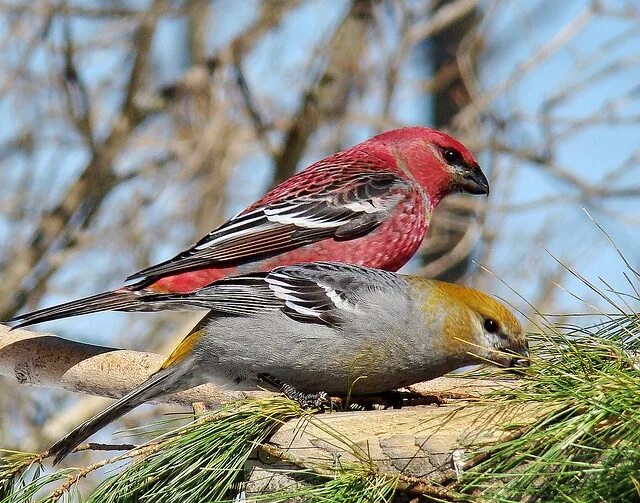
{"x": 204, "y": 462}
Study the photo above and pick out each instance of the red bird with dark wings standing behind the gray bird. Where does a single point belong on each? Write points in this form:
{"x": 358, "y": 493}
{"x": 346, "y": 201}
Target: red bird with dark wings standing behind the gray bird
{"x": 369, "y": 205}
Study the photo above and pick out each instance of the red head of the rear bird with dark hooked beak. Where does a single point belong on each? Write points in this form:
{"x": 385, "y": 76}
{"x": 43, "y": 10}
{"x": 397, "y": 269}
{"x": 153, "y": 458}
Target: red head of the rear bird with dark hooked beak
{"x": 440, "y": 163}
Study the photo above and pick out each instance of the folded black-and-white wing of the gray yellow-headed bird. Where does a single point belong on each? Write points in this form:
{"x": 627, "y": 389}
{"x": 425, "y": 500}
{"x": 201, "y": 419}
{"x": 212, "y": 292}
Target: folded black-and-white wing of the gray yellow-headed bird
{"x": 318, "y": 292}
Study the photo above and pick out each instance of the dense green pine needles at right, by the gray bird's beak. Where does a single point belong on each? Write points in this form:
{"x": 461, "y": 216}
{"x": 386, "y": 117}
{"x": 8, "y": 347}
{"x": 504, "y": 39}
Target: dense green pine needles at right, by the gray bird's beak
{"x": 586, "y": 448}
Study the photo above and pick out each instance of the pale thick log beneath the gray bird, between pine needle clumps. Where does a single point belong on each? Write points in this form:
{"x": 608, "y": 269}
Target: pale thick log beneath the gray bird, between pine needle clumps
{"x": 423, "y": 446}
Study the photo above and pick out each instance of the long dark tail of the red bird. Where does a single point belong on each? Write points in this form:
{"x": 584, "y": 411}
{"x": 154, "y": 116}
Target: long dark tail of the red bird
{"x": 117, "y": 300}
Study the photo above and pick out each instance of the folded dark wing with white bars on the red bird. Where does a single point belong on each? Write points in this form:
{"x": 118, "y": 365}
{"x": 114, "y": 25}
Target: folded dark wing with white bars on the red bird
{"x": 346, "y": 212}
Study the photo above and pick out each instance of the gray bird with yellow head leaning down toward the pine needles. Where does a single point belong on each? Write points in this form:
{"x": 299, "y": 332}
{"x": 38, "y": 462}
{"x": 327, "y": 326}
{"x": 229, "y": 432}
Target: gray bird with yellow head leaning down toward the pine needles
{"x": 338, "y": 328}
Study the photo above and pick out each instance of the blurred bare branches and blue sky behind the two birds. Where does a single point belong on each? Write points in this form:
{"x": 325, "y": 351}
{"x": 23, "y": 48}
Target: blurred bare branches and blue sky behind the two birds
{"x": 131, "y": 128}
